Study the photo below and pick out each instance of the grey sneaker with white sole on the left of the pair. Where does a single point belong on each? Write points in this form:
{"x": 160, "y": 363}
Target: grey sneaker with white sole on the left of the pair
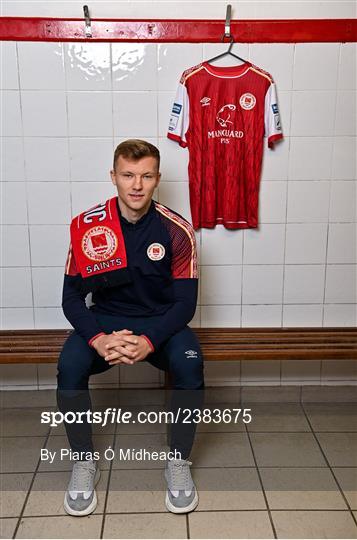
{"x": 80, "y": 498}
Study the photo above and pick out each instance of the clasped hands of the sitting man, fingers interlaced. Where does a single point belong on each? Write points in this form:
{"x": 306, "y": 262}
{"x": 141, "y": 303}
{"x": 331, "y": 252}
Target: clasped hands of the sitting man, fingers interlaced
{"x": 122, "y": 347}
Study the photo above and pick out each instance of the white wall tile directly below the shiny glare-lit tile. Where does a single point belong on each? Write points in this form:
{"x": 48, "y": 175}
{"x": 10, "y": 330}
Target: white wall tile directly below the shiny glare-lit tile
{"x": 90, "y": 114}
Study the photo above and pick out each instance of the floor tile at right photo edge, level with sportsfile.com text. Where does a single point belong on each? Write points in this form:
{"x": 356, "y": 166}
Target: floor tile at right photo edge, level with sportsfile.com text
{"x": 332, "y": 416}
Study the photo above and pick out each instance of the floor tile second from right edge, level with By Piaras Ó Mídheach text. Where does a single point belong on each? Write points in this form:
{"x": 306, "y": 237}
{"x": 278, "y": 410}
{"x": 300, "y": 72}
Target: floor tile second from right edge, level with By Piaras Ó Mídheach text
{"x": 286, "y": 450}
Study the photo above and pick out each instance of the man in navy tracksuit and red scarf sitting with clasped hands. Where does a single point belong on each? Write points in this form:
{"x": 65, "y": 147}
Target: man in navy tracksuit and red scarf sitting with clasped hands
{"x": 138, "y": 259}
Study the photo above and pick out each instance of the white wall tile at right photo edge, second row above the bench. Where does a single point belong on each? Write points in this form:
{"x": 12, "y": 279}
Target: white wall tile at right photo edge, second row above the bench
{"x": 341, "y": 284}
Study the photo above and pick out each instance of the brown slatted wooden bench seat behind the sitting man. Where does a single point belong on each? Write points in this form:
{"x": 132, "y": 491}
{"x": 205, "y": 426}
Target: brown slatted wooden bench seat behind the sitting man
{"x": 229, "y": 344}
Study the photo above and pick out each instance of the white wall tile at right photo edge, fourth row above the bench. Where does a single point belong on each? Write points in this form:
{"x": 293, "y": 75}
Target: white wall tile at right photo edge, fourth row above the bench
{"x": 343, "y": 201}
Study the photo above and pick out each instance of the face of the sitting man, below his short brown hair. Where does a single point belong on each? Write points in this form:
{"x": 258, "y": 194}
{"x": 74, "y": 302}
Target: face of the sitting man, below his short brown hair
{"x": 135, "y": 182}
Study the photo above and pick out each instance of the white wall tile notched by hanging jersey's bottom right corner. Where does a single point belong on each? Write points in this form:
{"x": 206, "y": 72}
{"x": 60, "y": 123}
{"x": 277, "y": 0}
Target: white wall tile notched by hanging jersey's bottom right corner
{"x": 264, "y": 246}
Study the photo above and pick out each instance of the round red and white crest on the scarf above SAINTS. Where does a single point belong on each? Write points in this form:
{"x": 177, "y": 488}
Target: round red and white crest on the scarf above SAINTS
{"x": 99, "y": 243}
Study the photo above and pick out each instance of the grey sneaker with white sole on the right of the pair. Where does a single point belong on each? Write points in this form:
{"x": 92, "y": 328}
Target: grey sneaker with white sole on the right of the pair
{"x": 181, "y": 494}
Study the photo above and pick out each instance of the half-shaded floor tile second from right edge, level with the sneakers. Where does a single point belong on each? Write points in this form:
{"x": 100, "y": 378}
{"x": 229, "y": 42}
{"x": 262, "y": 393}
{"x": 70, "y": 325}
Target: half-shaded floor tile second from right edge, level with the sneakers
{"x": 301, "y": 488}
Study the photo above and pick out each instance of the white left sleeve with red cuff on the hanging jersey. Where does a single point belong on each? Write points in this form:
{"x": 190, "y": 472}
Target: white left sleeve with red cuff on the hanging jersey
{"x": 180, "y": 114}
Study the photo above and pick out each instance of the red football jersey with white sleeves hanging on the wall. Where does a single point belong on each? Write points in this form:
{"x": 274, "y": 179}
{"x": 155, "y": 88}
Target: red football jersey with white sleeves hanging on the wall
{"x": 222, "y": 114}
